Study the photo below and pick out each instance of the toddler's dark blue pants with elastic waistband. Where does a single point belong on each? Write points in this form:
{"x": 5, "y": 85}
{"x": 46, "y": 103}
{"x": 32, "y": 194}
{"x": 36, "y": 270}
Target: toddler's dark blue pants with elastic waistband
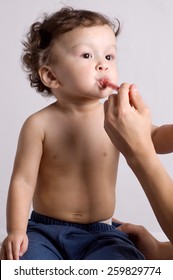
{"x": 51, "y": 239}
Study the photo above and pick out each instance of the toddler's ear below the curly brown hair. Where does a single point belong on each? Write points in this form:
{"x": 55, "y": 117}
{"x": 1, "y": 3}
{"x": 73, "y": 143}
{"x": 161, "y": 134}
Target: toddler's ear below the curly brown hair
{"x": 48, "y": 77}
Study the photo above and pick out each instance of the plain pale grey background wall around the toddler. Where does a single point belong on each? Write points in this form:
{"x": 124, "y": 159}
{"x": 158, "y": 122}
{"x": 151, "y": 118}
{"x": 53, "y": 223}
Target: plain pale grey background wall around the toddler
{"x": 145, "y": 57}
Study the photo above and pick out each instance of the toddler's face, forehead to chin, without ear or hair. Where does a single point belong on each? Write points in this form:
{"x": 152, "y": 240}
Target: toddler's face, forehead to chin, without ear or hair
{"x": 83, "y": 56}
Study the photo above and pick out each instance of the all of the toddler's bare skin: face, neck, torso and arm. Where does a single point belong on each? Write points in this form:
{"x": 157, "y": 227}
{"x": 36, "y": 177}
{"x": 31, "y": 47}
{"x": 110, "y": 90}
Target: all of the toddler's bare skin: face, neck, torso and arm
{"x": 65, "y": 162}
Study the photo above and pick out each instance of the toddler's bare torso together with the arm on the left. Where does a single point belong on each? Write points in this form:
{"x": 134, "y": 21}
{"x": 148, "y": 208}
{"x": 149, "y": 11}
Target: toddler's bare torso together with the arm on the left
{"x": 66, "y": 186}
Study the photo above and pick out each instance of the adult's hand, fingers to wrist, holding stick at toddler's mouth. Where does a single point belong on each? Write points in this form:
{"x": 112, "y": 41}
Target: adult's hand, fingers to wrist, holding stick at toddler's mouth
{"x": 128, "y": 121}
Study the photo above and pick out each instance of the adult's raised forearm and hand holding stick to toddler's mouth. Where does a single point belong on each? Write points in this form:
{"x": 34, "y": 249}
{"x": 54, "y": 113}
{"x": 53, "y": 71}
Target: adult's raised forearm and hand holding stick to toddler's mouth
{"x": 128, "y": 124}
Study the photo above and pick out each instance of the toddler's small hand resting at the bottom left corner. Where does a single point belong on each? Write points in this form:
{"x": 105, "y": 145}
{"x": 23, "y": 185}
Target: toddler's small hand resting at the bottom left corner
{"x": 14, "y": 245}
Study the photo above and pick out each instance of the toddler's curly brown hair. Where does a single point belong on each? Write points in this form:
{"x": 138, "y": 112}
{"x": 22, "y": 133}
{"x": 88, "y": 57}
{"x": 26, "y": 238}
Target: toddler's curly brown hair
{"x": 41, "y": 37}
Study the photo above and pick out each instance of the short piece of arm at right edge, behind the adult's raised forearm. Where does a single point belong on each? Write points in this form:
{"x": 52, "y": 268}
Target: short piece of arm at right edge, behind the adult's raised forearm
{"x": 163, "y": 138}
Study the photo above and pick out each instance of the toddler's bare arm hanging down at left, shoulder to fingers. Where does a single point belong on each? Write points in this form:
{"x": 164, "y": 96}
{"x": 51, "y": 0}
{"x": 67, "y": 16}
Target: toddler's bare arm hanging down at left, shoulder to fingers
{"x": 22, "y": 187}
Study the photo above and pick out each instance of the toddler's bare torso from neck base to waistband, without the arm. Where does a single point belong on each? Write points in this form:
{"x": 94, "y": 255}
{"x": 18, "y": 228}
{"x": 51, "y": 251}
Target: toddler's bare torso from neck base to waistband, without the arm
{"x": 66, "y": 177}
